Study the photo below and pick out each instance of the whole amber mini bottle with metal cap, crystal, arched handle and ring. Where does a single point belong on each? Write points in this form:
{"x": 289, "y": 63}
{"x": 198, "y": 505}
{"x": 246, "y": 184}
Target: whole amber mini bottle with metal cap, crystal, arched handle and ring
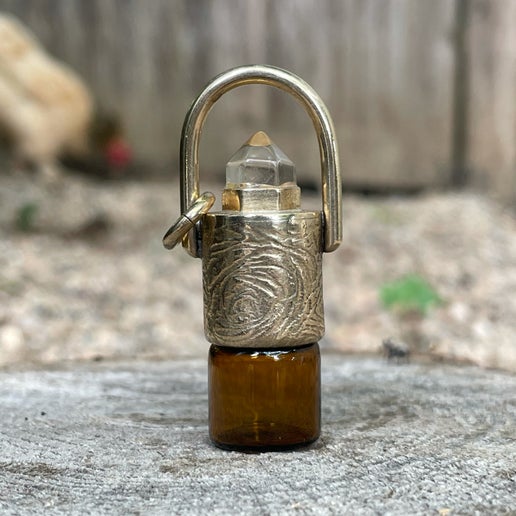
{"x": 262, "y": 274}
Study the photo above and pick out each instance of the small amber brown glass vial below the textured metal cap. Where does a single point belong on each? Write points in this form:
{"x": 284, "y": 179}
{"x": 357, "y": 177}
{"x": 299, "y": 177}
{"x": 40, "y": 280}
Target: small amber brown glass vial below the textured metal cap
{"x": 263, "y": 399}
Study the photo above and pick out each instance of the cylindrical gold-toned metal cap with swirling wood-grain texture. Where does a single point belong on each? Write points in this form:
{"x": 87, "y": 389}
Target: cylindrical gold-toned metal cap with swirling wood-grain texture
{"x": 262, "y": 284}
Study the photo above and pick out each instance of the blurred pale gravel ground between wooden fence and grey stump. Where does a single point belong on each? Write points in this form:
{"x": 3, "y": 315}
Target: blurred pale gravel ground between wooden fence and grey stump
{"x": 88, "y": 278}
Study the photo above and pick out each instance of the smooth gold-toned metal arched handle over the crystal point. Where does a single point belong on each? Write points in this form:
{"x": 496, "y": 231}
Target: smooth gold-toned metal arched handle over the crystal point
{"x": 314, "y": 106}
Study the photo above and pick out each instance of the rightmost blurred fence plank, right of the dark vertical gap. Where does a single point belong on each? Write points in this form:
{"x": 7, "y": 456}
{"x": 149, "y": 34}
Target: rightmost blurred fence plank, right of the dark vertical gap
{"x": 492, "y": 98}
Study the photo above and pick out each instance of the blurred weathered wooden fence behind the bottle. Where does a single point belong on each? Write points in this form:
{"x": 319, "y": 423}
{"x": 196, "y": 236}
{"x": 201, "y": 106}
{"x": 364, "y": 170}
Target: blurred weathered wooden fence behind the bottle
{"x": 422, "y": 92}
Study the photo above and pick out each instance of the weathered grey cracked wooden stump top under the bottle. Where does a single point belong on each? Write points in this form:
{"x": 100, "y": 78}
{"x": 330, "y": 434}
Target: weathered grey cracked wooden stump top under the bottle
{"x": 131, "y": 438}
